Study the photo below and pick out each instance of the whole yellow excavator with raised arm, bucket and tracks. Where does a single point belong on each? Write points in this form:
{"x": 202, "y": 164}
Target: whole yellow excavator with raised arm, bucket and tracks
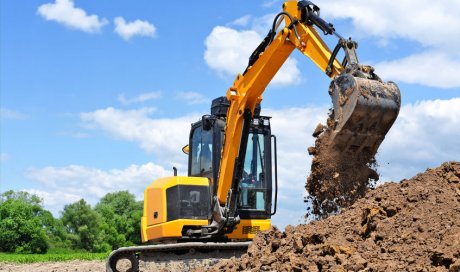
{"x": 230, "y": 192}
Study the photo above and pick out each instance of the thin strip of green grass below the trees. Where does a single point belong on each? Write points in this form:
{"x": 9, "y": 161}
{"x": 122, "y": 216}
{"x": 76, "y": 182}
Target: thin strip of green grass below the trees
{"x": 51, "y": 257}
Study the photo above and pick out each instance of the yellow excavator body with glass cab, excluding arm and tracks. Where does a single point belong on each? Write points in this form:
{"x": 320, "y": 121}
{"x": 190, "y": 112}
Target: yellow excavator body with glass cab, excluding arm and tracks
{"x": 181, "y": 208}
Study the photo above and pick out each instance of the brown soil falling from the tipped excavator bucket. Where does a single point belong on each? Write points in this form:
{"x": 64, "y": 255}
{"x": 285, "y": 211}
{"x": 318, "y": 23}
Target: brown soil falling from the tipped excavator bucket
{"x": 337, "y": 179}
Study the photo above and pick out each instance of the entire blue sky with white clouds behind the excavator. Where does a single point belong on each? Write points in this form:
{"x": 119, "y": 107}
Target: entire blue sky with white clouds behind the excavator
{"x": 98, "y": 96}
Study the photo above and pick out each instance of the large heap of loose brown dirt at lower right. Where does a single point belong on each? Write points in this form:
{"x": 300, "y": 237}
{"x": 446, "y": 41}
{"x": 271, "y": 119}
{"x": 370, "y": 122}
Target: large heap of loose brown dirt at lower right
{"x": 409, "y": 226}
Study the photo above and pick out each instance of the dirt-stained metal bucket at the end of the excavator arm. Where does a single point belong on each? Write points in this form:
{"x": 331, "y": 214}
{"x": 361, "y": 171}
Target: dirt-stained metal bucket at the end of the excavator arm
{"x": 363, "y": 112}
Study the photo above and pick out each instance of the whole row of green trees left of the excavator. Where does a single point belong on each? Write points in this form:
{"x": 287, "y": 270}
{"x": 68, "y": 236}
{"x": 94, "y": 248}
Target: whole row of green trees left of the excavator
{"x": 26, "y": 227}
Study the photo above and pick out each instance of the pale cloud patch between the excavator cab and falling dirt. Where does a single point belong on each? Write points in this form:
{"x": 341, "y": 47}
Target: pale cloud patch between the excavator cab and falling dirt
{"x": 293, "y": 128}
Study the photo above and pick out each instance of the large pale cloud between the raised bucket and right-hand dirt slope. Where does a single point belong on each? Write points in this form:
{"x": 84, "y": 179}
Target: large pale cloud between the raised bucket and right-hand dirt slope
{"x": 424, "y": 135}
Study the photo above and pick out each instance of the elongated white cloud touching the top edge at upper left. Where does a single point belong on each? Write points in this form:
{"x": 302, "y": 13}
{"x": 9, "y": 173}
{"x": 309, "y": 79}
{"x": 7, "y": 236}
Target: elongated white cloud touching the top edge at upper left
{"x": 65, "y": 12}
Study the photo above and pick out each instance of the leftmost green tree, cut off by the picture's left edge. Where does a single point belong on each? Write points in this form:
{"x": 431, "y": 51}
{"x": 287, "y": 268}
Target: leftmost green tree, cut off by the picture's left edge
{"x": 22, "y": 223}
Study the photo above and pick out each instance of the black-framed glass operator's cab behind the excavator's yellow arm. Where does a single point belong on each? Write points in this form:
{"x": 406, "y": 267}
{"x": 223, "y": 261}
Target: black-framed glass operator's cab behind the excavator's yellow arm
{"x": 205, "y": 149}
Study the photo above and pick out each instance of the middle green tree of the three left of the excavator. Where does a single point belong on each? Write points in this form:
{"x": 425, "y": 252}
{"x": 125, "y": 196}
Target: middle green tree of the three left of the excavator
{"x": 82, "y": 224}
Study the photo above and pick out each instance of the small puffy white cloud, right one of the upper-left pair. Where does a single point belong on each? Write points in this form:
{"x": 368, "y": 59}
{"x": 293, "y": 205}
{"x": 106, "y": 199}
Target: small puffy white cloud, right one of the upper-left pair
{"x": 127, "y": 30}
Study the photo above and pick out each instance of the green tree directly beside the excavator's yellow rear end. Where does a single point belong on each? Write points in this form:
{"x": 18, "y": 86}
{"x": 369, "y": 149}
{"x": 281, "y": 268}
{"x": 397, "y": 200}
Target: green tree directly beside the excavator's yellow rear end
{"x": 121, "y": 214}
